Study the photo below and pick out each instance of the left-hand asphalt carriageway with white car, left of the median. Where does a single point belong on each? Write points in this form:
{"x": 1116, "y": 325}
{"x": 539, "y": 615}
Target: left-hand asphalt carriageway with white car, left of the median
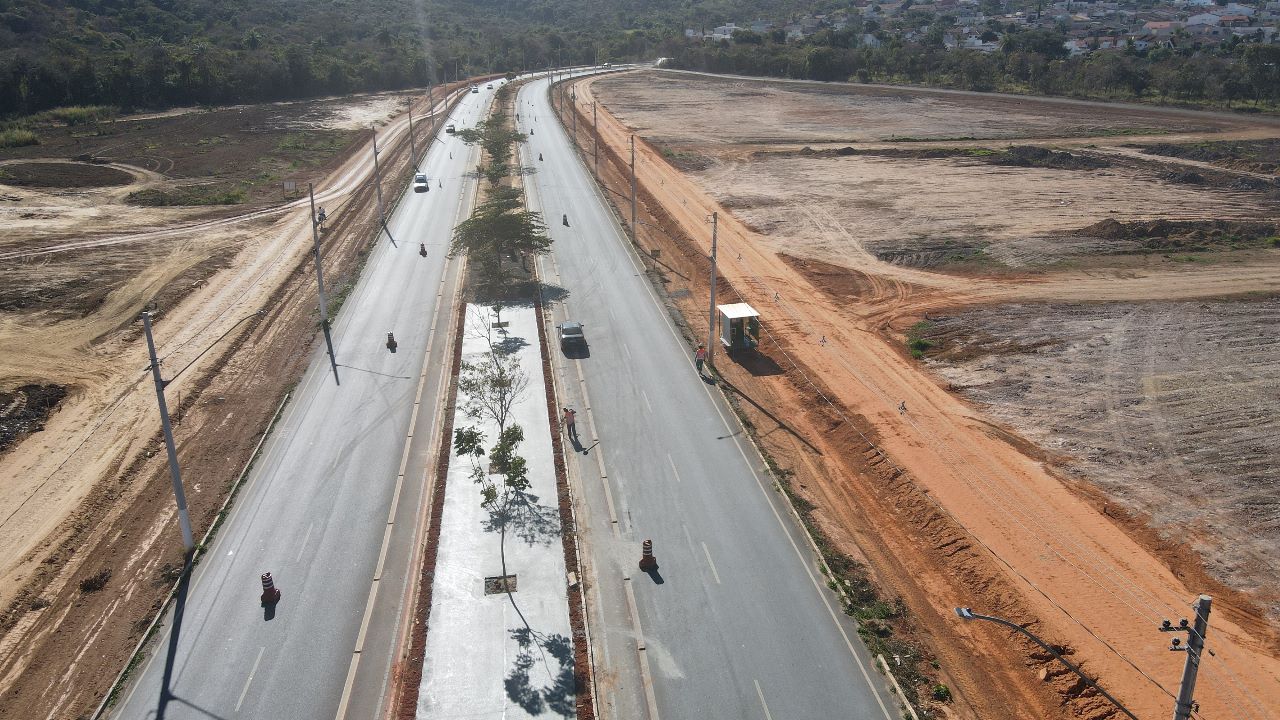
{"x": 319, "y": 500}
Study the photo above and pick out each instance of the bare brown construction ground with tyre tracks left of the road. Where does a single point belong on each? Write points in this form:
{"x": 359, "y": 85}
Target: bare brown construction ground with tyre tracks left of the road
{"x": 89, "y": 539}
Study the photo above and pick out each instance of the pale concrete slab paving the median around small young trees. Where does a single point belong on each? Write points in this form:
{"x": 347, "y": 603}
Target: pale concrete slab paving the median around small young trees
{"x": 499, "y": 657}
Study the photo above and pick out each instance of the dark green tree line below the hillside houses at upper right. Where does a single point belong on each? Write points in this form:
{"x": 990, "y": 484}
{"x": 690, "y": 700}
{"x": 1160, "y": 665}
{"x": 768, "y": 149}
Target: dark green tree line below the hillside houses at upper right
{"x": 1034, "y": 62}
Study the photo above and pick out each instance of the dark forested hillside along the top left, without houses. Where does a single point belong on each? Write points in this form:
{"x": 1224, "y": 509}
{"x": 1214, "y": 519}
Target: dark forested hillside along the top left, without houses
{"x": 147, "y": 54}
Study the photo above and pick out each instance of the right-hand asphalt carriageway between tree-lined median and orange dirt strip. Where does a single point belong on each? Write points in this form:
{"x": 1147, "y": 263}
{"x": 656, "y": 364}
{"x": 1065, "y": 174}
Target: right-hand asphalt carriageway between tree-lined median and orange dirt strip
{"x": 737, "y": 622}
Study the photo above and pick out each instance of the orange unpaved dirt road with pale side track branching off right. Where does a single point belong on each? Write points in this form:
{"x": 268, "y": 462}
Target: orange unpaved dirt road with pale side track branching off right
{"x": 982, "y": 517}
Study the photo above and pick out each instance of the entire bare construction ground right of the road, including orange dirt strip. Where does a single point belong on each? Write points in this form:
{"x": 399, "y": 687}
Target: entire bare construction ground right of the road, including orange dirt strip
{"x": 1081, "y": 445}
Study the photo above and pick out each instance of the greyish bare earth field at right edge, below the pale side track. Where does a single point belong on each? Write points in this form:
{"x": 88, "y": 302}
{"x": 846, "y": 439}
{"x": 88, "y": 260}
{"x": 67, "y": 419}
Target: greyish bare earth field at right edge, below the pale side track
{"x": 1168, "y": 407}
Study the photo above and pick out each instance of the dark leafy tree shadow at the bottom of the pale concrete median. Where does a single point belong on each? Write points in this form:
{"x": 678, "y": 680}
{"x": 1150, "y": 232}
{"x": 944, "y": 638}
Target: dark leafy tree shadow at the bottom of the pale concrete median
{"x": 556, "y": 654}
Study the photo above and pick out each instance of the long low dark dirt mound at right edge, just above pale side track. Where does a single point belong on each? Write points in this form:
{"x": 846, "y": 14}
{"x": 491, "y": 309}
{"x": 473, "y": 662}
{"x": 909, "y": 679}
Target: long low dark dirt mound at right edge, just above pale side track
{"x": 1195, "y": 236}
